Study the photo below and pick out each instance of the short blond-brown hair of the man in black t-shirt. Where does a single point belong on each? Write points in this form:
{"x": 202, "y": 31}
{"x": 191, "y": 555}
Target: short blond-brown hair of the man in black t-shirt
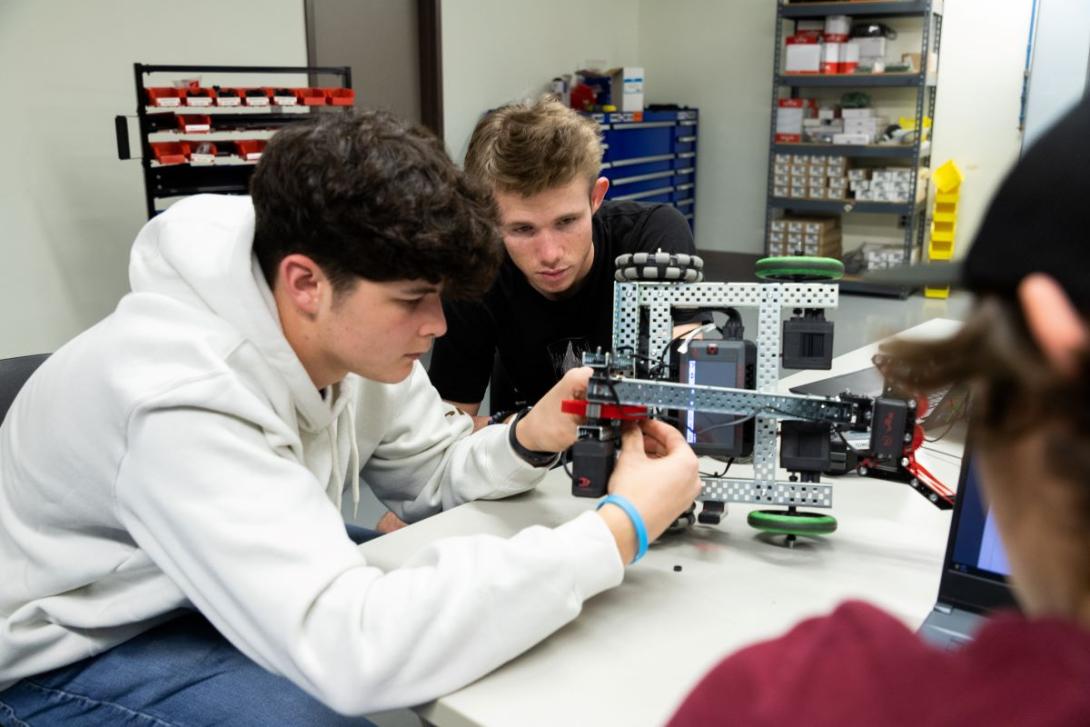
{"x": 530, "y": 148}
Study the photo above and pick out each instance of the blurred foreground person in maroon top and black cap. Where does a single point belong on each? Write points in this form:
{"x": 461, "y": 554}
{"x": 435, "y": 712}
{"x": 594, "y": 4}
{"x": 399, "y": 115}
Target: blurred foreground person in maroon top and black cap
{"x": 1026, "y": 350}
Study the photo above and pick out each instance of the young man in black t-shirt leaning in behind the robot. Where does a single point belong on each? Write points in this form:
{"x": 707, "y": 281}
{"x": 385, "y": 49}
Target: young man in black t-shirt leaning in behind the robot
{"x": 553, "y": 298}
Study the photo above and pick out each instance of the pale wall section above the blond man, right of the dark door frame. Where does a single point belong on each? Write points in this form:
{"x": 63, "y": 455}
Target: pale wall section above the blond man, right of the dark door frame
{"x": 496, "y": 52}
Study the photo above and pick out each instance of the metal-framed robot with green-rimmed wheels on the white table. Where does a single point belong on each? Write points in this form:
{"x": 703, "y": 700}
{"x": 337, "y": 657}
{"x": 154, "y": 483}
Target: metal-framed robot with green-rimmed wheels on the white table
{"x": 722, "y": 393}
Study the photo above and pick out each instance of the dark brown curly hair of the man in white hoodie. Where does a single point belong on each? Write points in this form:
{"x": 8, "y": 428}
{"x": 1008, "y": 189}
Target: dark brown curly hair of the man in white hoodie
{"x": 368, "y": 196}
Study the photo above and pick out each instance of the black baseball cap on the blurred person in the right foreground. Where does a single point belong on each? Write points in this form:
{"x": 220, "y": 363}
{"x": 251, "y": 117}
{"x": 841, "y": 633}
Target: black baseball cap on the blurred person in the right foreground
{"x": 1039, "y": 222}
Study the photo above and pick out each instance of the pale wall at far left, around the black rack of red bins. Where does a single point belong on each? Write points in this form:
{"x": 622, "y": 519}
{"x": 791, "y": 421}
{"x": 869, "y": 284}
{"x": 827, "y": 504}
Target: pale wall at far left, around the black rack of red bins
{"x": 70, "y": 208}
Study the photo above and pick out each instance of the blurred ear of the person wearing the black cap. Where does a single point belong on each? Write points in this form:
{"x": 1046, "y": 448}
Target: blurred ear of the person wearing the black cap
{"x": 1053, "y": 322}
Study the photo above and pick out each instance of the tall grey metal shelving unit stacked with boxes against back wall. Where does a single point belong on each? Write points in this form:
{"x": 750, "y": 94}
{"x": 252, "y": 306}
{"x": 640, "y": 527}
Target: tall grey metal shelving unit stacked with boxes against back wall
{"x": 911, "y": 216}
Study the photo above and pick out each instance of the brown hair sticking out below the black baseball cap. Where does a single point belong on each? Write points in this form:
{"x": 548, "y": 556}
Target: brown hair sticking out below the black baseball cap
{"x": 1015, "y": 389}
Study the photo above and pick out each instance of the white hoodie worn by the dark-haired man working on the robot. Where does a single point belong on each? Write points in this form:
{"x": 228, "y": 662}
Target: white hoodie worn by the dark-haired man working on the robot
{"x": 177, "y": 456}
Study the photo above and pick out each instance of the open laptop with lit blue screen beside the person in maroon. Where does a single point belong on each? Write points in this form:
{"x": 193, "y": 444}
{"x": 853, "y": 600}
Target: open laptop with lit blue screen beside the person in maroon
{"x": 975, "y": 571}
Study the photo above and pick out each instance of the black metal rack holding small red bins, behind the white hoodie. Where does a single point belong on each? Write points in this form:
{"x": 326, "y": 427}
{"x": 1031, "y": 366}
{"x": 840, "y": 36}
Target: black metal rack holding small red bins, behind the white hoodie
{"x": 236, "y": 123}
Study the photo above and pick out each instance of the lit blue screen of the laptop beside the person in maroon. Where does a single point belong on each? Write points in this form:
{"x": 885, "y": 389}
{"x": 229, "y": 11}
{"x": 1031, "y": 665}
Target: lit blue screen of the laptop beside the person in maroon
{"x": 977, "y": 548}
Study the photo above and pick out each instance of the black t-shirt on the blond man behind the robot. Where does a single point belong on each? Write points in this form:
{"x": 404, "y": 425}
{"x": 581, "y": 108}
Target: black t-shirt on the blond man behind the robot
{"x": 540, "y": 340}
